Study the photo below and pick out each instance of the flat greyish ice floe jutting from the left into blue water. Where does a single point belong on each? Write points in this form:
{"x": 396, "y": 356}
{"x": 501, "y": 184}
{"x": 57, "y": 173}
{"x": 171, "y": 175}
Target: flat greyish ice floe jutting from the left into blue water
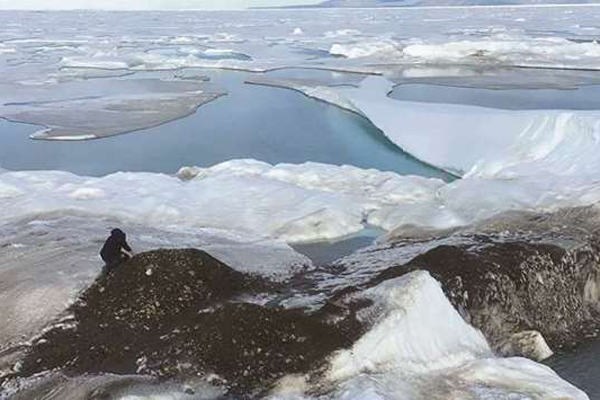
{"x": 94, "y": 111}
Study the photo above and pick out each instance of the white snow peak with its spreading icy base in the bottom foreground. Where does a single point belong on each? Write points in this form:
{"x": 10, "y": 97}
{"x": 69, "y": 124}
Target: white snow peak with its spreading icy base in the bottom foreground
{"x": 419, "y": 347}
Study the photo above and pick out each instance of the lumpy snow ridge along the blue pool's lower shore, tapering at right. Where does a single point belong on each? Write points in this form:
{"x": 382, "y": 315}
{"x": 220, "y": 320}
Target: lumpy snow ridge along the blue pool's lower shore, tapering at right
{"x": 291, "y": 202}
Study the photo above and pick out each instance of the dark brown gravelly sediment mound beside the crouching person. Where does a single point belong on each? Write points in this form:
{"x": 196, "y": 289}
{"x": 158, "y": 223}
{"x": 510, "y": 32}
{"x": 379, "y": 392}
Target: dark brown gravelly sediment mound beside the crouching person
{"x": 174, "y": 314}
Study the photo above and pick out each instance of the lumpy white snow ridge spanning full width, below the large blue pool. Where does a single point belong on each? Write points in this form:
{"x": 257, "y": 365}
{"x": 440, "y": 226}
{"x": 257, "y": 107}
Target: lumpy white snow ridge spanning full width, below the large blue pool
{"x": 295, "y": 203}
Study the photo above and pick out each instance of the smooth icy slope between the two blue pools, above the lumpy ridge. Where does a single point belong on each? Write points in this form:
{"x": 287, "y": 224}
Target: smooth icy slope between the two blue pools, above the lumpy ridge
{"x": 497, "y": 140}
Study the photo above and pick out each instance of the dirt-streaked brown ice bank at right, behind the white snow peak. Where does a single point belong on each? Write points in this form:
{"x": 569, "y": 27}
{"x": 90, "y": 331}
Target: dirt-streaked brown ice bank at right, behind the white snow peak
{"x": 518, "y": 272}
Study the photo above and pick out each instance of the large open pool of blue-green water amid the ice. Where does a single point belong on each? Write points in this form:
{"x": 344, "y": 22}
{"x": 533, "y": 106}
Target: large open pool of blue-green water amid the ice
{"x": 267, "y": 124}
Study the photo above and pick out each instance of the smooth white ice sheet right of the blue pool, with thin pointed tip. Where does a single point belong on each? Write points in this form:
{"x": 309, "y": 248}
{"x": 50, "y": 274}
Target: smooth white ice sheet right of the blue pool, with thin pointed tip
{"x": 536, "y": 160}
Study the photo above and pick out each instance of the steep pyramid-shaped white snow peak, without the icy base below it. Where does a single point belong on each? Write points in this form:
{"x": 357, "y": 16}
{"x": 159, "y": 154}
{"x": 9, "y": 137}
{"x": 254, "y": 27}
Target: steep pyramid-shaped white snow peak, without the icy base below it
{"x": 415, "y": 309}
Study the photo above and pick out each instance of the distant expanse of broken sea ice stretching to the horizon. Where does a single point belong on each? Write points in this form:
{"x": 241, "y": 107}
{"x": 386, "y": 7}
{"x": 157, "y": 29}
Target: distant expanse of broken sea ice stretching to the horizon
{"x": 555, "y": 37}
